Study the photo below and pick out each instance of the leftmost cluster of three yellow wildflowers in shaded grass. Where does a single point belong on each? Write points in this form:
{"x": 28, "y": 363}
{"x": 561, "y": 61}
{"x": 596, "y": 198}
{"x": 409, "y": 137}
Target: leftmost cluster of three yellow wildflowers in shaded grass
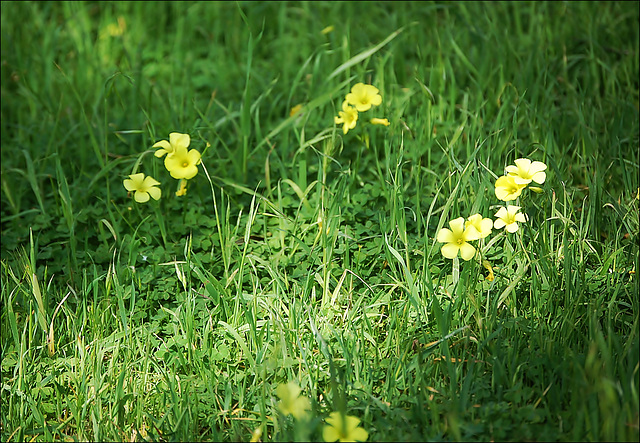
{"x": 181, "y": 162}
